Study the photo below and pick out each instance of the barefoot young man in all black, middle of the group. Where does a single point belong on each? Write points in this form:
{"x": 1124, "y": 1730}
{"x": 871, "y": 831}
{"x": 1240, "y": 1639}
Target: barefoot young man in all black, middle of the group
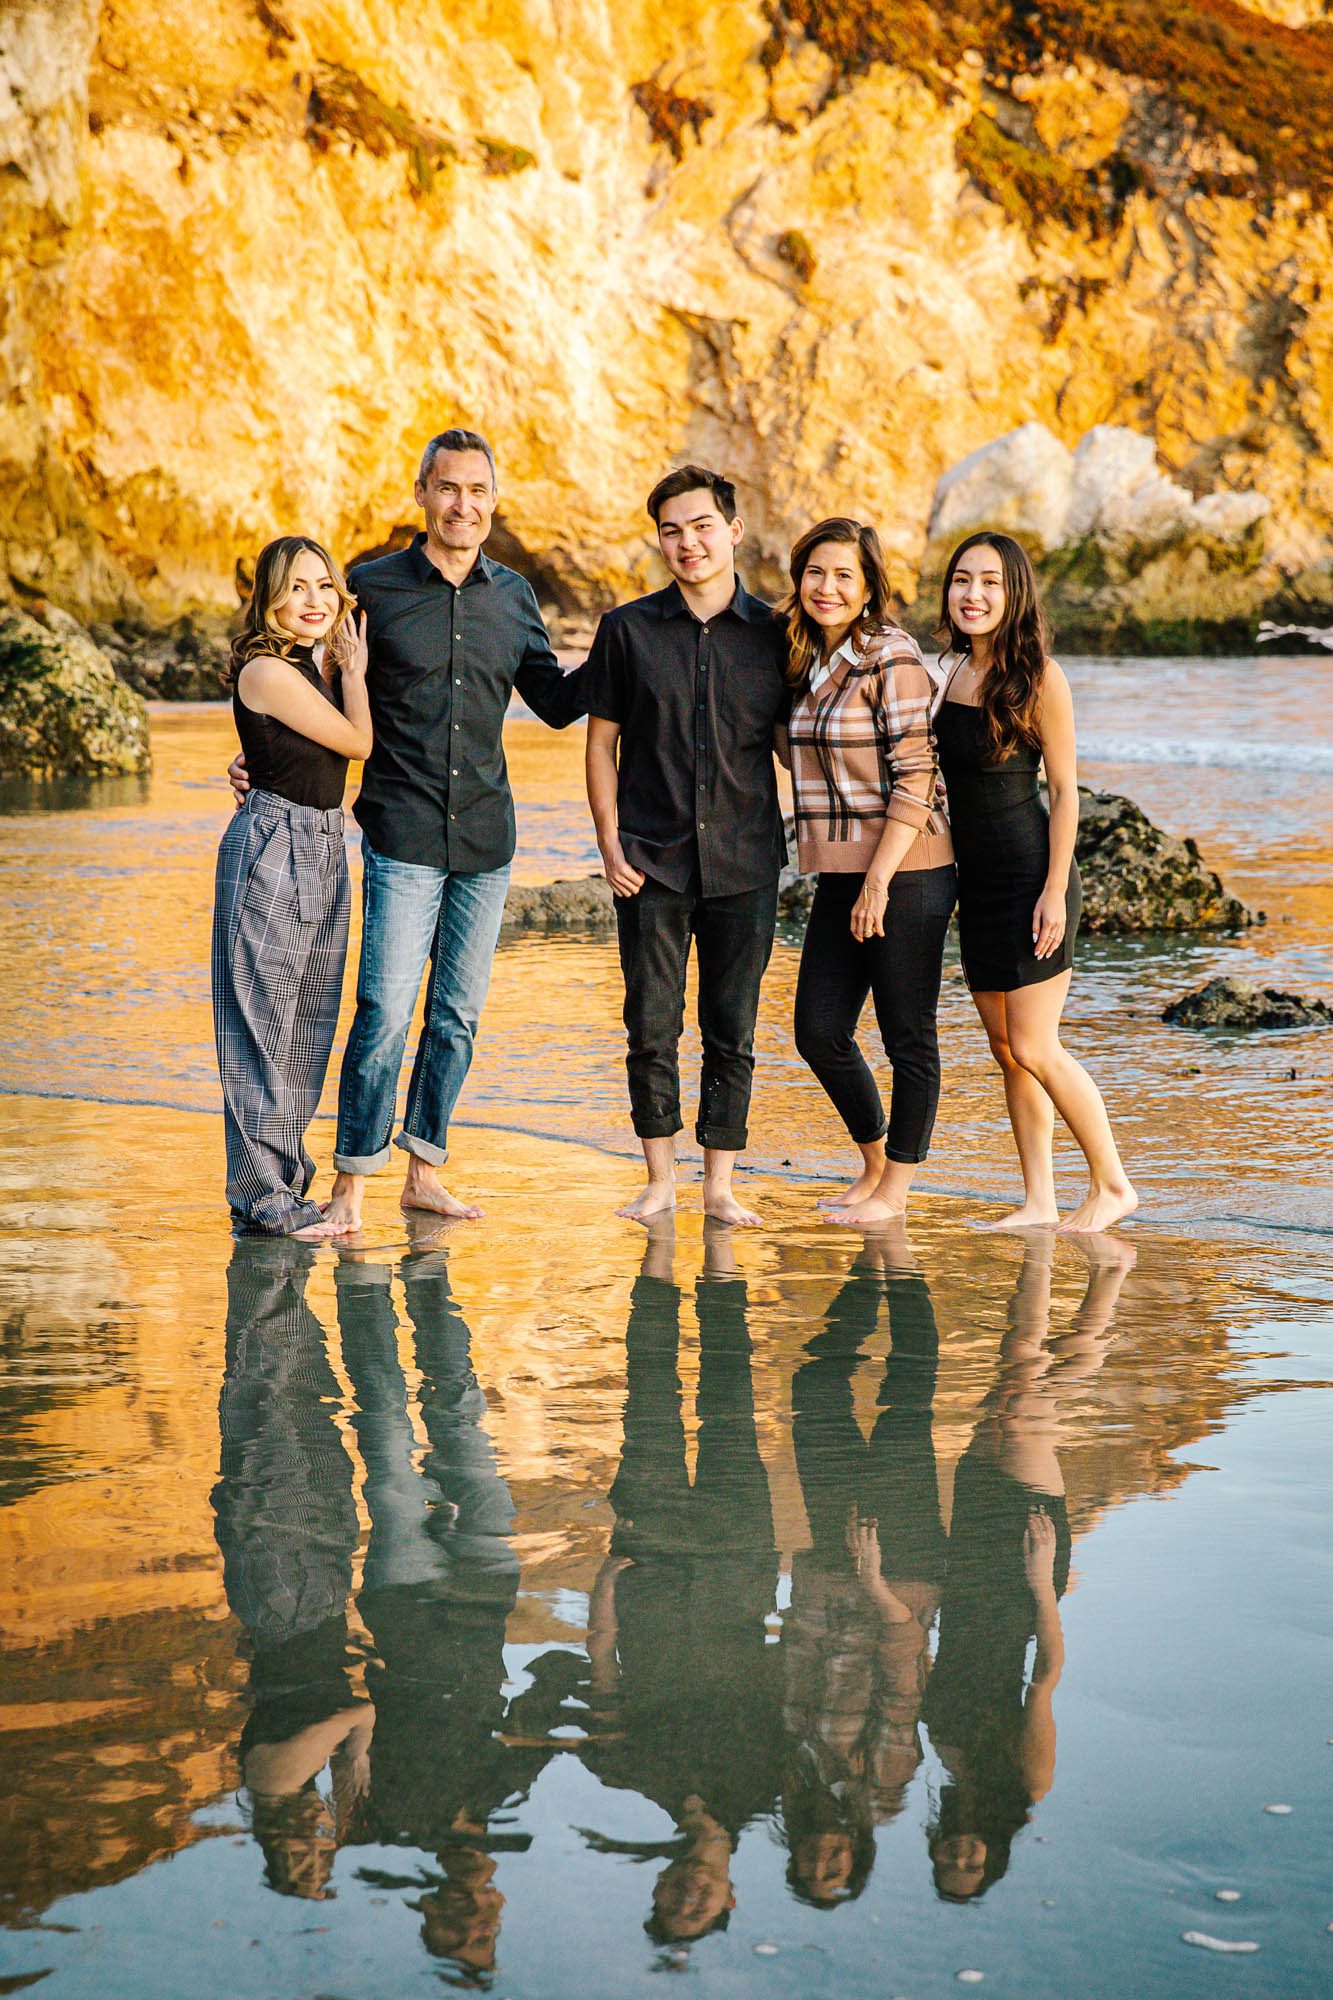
{"x": 684, "y": 695}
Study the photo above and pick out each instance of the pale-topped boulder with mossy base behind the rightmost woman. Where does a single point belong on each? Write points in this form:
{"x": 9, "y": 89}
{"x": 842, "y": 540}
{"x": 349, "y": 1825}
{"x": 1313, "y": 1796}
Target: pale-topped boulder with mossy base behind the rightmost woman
{"x": 1128, "y": 557}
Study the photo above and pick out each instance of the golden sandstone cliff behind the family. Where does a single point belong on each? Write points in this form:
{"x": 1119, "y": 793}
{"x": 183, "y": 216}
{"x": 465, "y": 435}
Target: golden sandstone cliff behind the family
{"x": 257, "y": 253}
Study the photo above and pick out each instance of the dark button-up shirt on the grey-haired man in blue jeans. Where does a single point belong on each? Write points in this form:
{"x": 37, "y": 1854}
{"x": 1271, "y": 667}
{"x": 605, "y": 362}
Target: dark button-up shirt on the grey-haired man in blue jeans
{"x": 443, "y": 665}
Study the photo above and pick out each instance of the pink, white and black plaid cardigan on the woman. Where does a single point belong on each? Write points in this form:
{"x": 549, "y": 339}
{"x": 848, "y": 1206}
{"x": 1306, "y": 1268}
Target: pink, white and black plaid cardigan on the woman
{"x": 862, "y": 755}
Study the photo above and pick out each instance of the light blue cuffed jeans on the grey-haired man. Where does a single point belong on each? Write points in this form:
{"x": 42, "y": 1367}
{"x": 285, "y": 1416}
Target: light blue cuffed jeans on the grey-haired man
{"x": 413, "y": 915}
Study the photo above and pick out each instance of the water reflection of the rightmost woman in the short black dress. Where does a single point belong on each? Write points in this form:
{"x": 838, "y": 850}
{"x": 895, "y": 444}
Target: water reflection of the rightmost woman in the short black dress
{"x": 1008, "y": 1571}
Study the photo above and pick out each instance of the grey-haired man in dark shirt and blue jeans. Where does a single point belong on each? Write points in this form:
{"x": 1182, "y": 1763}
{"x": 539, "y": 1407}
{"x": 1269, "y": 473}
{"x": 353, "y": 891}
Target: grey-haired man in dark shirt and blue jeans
{"x": 451, "y": 633}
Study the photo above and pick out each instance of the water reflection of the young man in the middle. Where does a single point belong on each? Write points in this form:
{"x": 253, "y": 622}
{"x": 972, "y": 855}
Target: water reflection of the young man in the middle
{"x": 684, "y": 1679}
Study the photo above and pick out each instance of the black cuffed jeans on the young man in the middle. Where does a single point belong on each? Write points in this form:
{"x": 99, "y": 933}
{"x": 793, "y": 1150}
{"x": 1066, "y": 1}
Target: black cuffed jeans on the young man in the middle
{"x": 734, "y": 937}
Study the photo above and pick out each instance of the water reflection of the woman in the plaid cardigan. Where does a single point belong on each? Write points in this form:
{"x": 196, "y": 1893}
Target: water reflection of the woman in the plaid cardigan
{"x": 856, "y": 1645}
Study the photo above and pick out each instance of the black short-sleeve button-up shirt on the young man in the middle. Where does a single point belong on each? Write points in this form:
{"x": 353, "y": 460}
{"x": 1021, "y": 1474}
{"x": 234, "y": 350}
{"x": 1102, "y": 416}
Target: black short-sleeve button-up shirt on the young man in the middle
{"x": 698, "y": 705}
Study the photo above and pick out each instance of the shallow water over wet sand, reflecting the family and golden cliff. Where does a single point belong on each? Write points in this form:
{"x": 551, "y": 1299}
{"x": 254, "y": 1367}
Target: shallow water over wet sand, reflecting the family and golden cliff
{"x": 535, "y": 1607}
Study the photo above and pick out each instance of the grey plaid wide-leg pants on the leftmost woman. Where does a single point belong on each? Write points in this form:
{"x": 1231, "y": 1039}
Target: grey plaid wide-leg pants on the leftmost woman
{"x": 279, "y": 947}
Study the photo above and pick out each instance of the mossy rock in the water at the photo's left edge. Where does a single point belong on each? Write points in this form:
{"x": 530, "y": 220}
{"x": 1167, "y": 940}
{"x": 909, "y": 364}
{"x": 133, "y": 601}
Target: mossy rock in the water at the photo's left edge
{"x": 63, "y": 711}
